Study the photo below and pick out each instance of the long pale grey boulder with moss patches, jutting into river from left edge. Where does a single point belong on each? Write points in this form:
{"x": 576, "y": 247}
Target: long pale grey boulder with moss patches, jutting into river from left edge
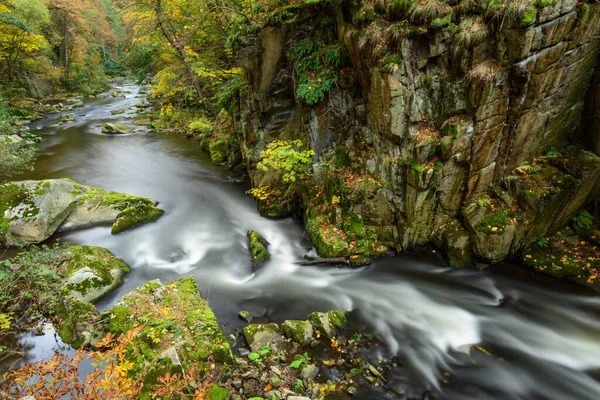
{"x": 31, "y": 211}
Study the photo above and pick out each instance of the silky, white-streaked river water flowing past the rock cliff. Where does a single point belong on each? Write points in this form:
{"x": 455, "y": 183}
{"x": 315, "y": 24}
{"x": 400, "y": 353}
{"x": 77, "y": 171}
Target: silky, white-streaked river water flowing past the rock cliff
{"x": 539, "y": 337}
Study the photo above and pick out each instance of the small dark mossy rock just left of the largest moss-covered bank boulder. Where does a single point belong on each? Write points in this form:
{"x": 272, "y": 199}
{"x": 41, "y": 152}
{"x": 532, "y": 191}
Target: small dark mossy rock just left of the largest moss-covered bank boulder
{"x": 76, "y": 322}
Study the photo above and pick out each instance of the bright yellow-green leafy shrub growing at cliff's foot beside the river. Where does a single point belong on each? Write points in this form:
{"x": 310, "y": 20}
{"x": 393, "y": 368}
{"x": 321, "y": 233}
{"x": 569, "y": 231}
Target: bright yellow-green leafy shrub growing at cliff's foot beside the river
{"x": 288, "y": 159}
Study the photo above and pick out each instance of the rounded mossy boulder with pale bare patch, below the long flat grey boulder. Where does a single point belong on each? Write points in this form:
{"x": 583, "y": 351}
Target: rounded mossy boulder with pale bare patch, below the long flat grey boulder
{"x": 92, "y": 272}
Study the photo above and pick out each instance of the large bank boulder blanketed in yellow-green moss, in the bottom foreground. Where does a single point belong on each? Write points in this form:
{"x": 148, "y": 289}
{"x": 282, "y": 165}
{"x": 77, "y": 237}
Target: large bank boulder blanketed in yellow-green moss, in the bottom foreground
{"x": 176, "y": 330}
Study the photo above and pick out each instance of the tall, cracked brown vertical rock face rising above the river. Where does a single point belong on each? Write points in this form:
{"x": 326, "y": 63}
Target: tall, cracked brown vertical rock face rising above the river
{"x": 447, "y": 125}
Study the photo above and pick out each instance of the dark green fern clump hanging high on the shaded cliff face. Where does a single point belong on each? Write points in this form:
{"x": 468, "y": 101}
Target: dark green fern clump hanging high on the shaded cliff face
{"x": 316, "y": 66}
